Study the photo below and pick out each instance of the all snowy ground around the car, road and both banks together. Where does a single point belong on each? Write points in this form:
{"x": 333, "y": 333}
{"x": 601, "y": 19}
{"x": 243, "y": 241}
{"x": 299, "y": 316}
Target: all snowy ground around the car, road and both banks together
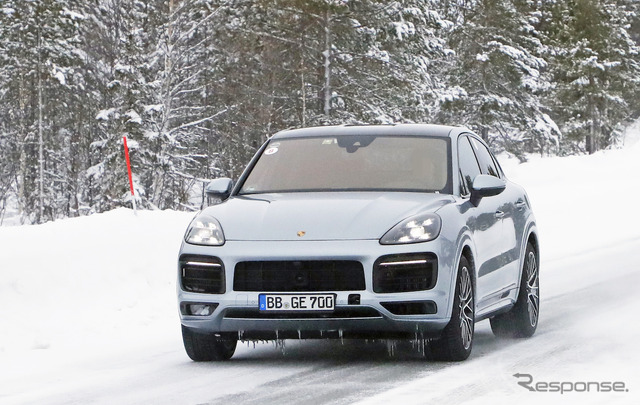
{"x": 88, "y": 312}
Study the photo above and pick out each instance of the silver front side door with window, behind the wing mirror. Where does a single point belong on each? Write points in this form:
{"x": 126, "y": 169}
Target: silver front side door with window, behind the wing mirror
{"x": 485, "y": 224}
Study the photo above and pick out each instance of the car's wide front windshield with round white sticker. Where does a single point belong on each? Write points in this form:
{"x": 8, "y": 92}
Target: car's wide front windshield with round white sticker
{"x": 352, "y": 163}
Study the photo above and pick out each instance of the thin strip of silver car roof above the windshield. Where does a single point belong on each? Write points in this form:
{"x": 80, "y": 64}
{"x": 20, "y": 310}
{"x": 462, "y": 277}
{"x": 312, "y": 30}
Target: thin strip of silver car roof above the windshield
{"x": 391, "y": 129}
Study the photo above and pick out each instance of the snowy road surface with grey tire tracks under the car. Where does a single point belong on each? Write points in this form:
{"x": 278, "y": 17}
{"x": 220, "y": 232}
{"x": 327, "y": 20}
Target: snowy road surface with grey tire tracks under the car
{"x": 583, "y": 336}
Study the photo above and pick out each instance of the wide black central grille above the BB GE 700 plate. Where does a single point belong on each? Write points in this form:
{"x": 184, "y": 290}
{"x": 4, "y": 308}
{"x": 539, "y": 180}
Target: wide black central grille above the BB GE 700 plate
{"x": 292, "y": 276}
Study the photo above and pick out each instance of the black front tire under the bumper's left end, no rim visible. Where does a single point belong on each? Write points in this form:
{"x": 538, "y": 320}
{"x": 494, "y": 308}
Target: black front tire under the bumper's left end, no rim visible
{"x": 208, "y": 346}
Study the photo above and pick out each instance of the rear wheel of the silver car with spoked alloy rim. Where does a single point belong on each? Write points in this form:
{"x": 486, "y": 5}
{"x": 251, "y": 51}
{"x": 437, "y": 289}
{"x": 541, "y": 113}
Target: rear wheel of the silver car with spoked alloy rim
{"x": 522, "y": 320}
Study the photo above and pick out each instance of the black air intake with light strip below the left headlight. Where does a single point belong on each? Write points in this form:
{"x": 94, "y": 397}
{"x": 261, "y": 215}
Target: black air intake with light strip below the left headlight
{"x": 202, "y": 274}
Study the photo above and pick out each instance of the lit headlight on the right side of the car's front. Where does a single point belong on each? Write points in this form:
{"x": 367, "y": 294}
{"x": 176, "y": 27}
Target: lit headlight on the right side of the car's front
{"x": 420, "y": 228}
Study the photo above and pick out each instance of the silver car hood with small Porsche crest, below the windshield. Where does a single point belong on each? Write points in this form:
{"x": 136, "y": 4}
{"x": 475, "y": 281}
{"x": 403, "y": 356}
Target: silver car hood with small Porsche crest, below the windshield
{"x": 321, "y": 216}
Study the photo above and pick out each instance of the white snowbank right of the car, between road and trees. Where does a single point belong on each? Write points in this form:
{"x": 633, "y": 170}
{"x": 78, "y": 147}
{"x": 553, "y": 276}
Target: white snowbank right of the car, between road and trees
{"x": 582, "y": 202}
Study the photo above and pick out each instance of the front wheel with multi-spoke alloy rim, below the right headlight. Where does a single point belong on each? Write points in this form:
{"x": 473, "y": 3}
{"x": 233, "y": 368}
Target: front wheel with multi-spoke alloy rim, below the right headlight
{"x": 456, "y": 341}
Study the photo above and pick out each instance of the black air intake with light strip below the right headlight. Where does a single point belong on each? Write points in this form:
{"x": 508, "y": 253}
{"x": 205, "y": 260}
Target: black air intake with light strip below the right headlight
{"x": 404, "y": 273}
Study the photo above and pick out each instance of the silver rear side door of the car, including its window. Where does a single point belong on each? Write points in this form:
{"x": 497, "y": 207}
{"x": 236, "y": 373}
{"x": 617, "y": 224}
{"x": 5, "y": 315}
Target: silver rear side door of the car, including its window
{"x": 501, "y": 275}
